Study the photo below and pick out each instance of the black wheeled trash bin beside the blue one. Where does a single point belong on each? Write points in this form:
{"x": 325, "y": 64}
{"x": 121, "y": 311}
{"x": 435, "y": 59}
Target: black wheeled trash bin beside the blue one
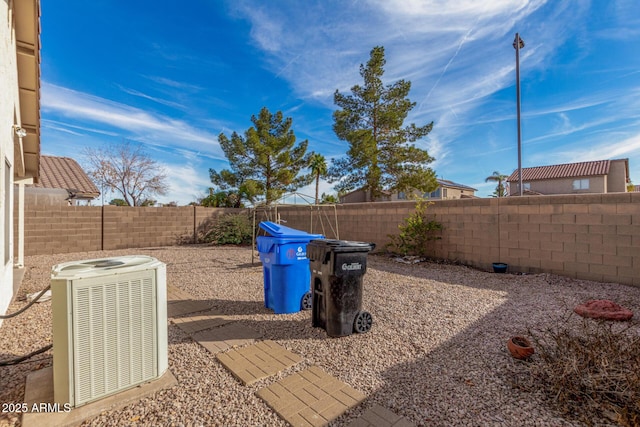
{"x": 337, "y": 270}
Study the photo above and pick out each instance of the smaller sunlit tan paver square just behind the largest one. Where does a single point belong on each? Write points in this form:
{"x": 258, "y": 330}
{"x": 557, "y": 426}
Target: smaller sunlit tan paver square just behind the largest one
{"x": 261, "y": 360}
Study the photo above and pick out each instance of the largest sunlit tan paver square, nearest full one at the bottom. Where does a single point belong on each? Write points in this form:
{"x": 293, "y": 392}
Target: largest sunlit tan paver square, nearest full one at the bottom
{"x": 310, "y": 398}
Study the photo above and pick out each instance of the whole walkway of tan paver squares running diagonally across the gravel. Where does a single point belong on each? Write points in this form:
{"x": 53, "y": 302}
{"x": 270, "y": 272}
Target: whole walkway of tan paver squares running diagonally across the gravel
{"x": 311, "y": 397}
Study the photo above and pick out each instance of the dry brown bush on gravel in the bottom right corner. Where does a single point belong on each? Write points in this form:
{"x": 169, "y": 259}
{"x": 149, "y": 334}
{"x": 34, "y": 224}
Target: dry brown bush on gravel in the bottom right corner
{"x": 589, "y": 369}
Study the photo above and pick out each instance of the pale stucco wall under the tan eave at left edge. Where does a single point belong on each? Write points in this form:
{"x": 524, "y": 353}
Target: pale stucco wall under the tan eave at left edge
{"x": 9, "y": 115}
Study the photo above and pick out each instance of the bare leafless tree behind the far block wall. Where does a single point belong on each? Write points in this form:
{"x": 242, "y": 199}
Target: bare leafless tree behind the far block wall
{"x": 127, "y": 170}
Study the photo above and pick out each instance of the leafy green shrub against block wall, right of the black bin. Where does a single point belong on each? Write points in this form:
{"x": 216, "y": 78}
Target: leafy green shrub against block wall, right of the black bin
{"x": 416, "y": 232}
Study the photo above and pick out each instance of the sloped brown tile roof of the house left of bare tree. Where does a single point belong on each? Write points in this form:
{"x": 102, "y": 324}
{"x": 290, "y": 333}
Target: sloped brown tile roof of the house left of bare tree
{"x": 65, "y": 173}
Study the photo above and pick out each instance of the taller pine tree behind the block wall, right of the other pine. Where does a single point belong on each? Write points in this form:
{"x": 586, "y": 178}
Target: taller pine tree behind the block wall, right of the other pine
{"x": 381, "y": 153}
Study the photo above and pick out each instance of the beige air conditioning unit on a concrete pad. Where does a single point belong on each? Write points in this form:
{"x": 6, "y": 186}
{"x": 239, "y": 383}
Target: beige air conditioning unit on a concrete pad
{"x": 109, "y": 326}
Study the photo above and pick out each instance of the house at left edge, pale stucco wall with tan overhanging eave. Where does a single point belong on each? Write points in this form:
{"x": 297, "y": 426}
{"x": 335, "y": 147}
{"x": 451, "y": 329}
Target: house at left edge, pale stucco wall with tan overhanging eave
{"x": 19, "y": 126}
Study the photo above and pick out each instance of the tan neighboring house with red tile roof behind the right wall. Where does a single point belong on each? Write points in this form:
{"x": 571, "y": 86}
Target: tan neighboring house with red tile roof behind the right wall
{"x": 601, "y": 176}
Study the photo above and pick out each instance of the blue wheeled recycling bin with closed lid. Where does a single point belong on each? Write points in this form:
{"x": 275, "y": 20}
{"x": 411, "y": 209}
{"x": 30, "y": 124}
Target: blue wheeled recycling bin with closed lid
{"x": 287, "y": 277}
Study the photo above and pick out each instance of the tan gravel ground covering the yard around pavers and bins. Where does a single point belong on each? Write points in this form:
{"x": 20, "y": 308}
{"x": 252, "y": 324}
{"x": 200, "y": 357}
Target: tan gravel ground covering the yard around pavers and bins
{"x": 436, "y": 353}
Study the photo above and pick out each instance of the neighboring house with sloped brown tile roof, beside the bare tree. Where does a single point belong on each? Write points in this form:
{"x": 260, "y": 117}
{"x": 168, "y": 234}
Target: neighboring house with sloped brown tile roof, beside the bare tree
{"x": 62, "y": 180}
